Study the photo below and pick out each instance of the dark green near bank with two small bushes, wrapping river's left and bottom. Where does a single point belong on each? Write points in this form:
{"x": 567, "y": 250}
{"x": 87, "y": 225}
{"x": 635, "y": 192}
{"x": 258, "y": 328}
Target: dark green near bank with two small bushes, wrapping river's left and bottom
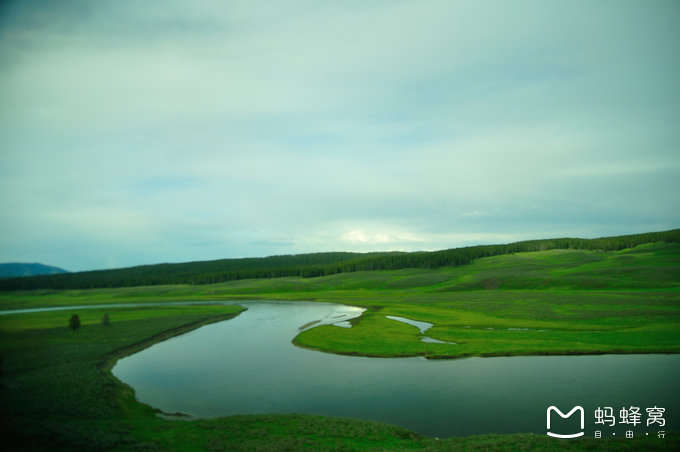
{"x": 57, "y": 393}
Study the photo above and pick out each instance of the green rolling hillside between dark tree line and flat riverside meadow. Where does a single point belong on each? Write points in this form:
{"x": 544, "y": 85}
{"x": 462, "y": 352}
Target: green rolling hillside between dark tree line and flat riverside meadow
{"x": 653, "y": 266}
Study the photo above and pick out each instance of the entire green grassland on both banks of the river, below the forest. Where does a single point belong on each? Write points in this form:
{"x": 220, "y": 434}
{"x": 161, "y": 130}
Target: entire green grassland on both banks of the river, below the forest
{"x": 56, "y": 391}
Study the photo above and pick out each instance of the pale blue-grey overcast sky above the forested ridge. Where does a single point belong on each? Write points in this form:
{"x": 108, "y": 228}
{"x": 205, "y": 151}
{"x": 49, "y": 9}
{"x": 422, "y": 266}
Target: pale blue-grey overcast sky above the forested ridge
{"x": 170, "y": 131}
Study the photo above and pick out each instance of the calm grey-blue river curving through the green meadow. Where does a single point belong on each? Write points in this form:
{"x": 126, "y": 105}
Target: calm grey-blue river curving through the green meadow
{"x": 247, "y": 365}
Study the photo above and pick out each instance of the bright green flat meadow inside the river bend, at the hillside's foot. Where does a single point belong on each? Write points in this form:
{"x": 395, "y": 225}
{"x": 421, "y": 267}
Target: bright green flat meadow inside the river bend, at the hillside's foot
{"x": 492, "y": 323}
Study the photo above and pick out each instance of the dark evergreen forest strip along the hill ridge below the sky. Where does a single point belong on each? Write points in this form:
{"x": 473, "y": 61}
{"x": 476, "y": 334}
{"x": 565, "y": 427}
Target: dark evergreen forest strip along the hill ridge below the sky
{"x": 315, "y": 264}
